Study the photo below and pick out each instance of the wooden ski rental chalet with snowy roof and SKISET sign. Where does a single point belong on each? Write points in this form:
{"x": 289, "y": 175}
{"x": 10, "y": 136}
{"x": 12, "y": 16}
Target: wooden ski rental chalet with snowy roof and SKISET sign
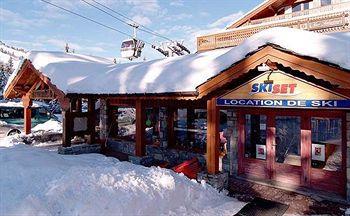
{"x": 283, "y": 113}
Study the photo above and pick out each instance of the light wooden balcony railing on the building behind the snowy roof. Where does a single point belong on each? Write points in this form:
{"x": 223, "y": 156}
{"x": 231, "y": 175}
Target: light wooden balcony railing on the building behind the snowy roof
{"x": 325, "y": 19}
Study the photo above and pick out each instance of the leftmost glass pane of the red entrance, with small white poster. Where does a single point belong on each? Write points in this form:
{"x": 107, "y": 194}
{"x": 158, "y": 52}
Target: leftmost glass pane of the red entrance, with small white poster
{"x": 255, "y": 136}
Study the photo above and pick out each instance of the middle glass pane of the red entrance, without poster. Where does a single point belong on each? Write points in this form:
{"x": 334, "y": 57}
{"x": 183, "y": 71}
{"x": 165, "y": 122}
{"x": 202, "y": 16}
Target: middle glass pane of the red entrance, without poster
{"x": 288, "y": 140}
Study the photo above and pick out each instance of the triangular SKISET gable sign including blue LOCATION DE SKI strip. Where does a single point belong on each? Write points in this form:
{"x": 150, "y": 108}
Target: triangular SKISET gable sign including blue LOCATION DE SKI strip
{"x": 282, "y": 90}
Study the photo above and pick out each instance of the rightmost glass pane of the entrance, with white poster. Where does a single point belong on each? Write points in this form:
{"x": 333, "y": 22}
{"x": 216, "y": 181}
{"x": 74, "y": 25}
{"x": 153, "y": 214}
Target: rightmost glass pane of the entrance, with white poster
{"x": 326, "y": 143}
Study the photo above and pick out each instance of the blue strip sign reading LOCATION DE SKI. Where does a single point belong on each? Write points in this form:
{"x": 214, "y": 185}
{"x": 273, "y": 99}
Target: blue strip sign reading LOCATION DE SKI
{"x": 284, "y": 103}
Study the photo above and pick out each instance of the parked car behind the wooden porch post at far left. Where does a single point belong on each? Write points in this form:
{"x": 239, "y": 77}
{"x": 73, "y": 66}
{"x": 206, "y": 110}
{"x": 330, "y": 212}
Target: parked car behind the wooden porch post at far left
{"x": 12, "y": 121}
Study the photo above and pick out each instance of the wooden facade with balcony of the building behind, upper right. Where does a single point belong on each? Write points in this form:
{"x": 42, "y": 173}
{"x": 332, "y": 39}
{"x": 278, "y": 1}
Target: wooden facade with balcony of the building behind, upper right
{"x": 321, "y": 19}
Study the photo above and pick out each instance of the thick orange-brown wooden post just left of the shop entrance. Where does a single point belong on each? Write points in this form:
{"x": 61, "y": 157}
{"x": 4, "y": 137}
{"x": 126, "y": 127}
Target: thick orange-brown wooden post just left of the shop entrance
{"x": 213, "y": 136}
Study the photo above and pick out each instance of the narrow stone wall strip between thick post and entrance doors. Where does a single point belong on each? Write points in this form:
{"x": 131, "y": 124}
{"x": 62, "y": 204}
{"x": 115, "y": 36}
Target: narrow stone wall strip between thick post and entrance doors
{"x": 230, "y": 161}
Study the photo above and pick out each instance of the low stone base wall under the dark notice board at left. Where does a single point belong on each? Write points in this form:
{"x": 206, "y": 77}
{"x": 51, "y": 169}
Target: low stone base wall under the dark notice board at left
{"x": 80, "y": 149}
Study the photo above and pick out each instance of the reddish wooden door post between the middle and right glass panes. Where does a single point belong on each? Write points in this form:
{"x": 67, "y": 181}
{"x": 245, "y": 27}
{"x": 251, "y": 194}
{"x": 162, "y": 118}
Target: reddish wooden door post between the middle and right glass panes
{"x": 306, "y": 150}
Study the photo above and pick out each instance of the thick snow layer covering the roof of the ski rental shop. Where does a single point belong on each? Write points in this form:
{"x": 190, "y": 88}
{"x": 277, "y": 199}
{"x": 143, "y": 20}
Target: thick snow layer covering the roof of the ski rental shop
{"x": 73, "y": 73}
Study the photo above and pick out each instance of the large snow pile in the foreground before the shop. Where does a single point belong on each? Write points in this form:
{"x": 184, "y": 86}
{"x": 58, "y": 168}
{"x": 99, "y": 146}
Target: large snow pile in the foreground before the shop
{"x": 38, "y": 182}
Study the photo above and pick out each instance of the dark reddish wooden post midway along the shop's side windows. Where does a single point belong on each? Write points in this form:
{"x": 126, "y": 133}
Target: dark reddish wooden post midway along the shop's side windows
{"x": 140, "y": 147}
